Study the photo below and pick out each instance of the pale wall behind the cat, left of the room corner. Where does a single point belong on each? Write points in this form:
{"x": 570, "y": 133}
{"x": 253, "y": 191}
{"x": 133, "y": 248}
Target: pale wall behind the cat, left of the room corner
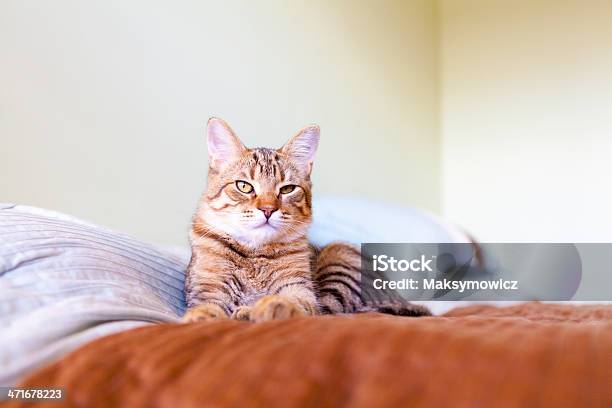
{"x": 102, "y": 104}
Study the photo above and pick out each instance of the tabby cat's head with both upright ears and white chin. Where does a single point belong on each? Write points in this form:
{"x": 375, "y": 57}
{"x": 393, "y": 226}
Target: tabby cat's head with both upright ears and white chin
{"x": 258, "y": 196}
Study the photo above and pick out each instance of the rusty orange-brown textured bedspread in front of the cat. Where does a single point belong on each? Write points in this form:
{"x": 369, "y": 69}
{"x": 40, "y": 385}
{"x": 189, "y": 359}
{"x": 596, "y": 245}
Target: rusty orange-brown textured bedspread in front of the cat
{"x": 528, "y": 355}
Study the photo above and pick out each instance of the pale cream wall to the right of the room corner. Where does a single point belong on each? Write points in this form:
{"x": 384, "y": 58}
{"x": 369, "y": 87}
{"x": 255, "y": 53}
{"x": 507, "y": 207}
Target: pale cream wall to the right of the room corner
{"x": 527, "y": 118}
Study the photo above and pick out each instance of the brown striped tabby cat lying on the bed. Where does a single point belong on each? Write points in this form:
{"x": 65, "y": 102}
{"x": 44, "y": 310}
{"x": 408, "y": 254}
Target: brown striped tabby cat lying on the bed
{"x": 251, "y": 259}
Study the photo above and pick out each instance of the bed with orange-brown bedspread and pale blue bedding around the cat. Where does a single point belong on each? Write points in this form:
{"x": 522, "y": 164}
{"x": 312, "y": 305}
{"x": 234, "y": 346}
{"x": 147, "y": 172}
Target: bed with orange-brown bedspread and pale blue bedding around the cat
{"x": 98, "y": 313}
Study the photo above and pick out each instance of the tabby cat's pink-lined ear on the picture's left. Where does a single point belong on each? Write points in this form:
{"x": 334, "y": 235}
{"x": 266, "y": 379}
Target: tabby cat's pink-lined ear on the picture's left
{"x": 223, "y": 144}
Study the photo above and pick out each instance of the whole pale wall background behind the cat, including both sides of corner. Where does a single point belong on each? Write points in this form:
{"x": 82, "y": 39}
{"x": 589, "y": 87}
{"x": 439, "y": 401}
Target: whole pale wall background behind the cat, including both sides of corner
{"x": 494, "y": 114}
